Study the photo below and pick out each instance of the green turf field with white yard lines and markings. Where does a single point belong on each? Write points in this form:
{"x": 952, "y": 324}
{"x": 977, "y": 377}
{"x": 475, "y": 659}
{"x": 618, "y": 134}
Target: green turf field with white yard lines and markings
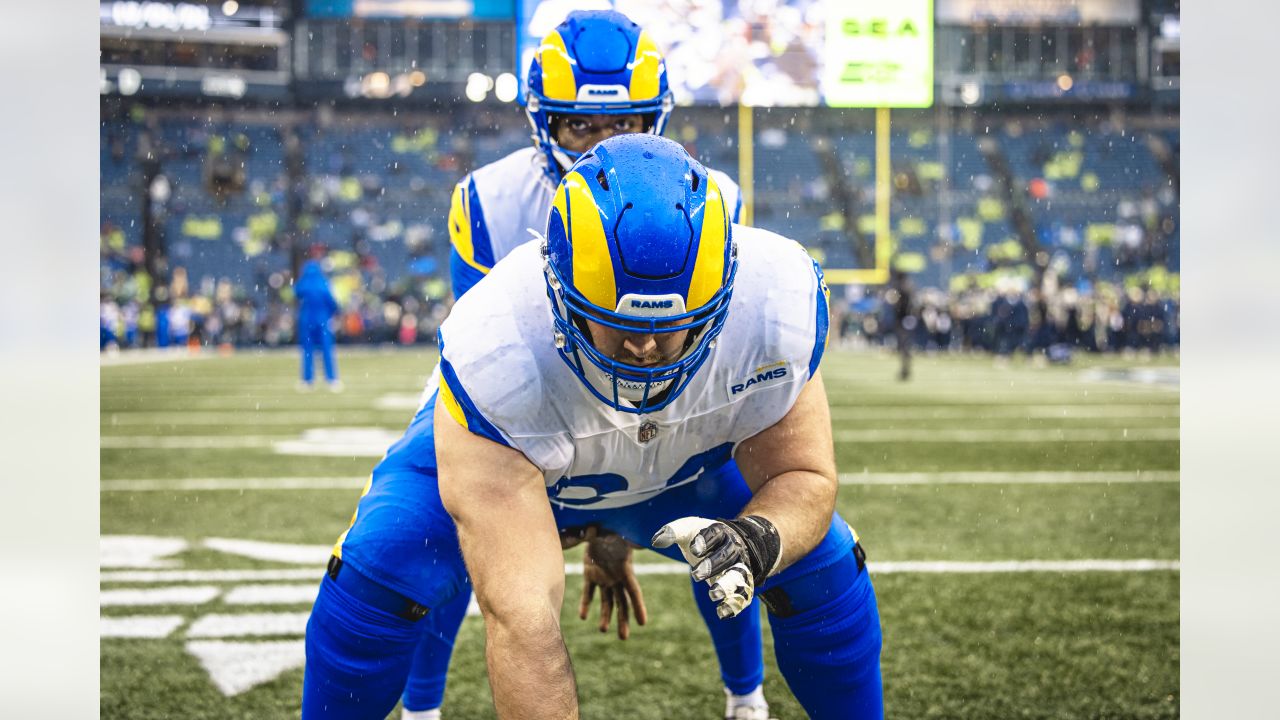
{"x": 1022, "y": 528}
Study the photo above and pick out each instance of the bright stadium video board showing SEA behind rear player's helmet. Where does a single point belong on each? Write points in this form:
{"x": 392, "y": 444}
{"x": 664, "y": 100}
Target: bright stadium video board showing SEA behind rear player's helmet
{"x": 789, "y": 53}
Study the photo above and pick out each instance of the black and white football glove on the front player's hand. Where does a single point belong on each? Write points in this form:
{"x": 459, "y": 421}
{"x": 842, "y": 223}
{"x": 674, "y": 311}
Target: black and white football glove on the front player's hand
{"x": 733, "y": 557}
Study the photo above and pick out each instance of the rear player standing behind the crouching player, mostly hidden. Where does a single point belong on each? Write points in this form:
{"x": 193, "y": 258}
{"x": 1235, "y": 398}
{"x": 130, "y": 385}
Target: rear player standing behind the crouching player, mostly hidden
{"x": 596, "y": 76}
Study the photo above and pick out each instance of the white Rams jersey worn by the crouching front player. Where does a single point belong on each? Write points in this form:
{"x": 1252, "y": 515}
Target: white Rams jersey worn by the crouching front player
{"x": 504, "y": 375}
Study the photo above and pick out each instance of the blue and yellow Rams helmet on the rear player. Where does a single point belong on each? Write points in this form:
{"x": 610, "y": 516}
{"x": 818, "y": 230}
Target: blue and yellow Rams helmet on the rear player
{"x": 595, "y": 63}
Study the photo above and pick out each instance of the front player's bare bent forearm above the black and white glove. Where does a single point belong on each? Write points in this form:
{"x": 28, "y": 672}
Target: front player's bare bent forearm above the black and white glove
{"x": 799, "y": 504}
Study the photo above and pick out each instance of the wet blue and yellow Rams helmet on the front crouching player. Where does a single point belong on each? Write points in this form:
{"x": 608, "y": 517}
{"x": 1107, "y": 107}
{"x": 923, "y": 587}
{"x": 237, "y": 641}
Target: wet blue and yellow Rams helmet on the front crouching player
{"x": 638, "y": 240}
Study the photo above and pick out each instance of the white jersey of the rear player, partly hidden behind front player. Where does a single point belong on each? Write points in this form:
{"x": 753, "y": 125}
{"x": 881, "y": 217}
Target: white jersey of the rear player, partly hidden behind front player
{"x": 496, "y": 207}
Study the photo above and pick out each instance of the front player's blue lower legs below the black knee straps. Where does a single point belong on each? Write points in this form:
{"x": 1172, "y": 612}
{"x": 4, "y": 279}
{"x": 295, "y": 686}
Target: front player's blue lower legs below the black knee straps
{"x": 359, "y": 658}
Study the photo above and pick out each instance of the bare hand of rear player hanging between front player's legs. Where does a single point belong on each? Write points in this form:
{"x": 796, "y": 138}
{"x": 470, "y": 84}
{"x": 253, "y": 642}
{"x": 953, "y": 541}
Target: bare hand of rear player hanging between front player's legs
{"x": 607, "y": 566}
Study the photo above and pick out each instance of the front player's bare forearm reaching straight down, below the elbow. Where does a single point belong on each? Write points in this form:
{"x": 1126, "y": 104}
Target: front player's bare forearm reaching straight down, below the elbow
{"x": 529, "y": 667}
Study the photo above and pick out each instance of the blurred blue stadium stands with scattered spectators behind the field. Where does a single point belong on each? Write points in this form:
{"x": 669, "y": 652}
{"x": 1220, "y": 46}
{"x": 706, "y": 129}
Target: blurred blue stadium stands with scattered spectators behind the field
{"x": 369, "y": 193}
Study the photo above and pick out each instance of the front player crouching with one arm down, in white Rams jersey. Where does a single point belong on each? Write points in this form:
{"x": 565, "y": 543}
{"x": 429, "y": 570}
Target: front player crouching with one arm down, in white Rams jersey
{"x": 650, "y": 370}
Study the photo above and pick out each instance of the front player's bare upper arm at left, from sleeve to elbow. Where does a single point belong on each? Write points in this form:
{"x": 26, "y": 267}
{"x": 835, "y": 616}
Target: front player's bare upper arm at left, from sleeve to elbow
{"x": 499, "y": 502}
